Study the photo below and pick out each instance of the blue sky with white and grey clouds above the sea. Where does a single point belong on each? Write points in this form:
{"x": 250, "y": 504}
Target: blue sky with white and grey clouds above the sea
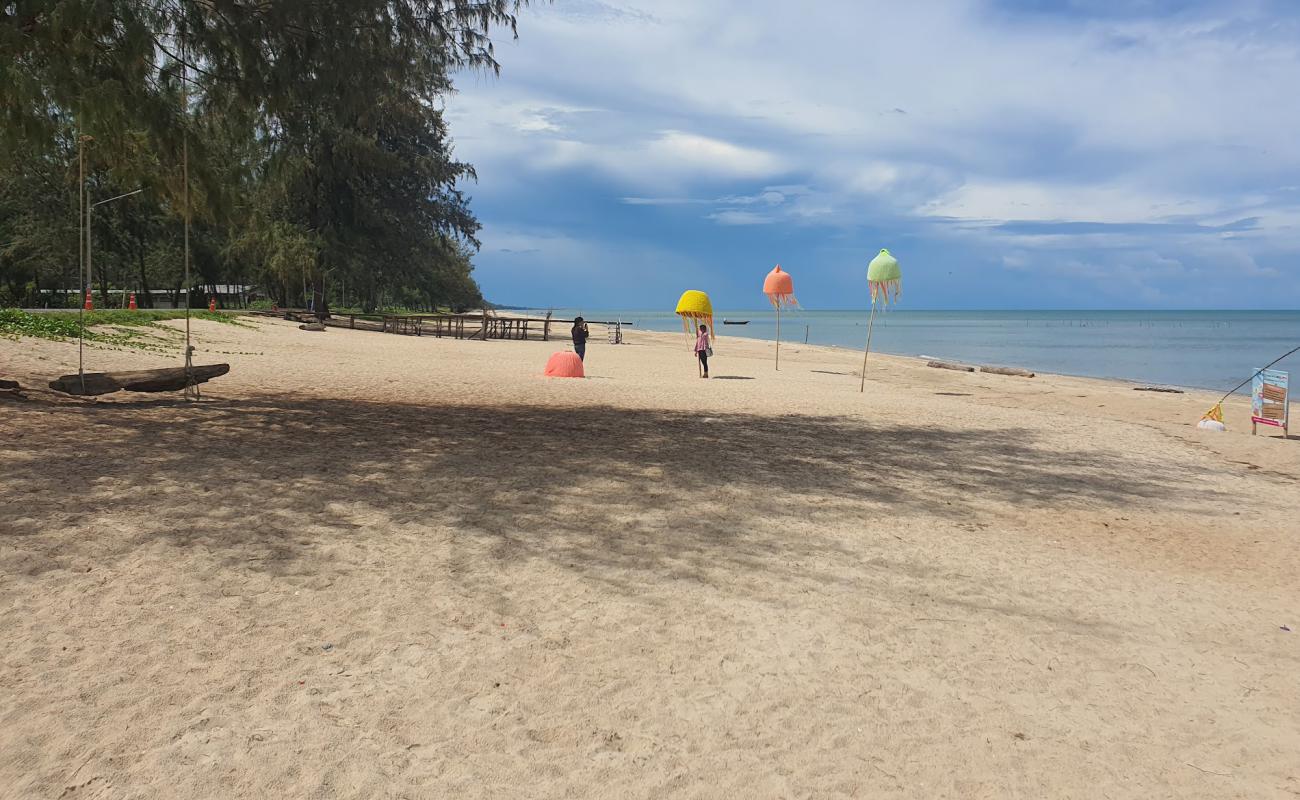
{"x": 1013, "y": 154}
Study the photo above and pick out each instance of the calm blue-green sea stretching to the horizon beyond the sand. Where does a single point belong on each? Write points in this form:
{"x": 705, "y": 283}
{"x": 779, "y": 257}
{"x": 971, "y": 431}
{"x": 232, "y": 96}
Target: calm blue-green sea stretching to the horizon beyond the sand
{"x": 1191, "y": 349}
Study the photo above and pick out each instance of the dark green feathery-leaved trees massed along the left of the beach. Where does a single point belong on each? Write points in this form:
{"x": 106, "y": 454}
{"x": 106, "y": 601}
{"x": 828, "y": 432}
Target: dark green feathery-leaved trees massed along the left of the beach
{"x": 320, "y": 165}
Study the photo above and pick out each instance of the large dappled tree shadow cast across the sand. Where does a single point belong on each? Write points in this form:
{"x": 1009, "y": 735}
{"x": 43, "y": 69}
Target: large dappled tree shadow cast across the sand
{"x": 614, "y": 494}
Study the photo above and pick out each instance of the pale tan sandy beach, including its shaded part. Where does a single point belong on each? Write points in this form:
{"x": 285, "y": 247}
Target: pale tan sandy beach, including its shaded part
{"x": 382, "y": 567}
